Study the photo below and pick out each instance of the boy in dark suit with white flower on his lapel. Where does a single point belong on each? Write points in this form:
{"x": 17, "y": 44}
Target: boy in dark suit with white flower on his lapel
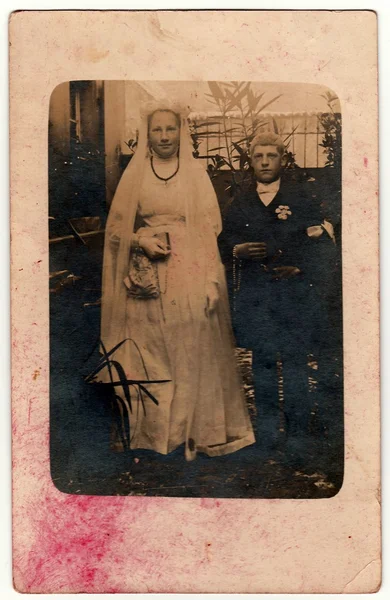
{"x": 273, "y": 238}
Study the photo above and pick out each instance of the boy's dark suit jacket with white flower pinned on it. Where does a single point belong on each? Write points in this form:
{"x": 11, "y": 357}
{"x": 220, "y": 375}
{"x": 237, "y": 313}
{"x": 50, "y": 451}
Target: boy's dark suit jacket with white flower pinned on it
{"x": 278, "y": 312}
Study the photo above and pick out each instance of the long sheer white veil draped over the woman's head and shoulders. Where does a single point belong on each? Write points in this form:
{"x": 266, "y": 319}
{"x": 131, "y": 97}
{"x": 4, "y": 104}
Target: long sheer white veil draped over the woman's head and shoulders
{"x": 203, "y": 225}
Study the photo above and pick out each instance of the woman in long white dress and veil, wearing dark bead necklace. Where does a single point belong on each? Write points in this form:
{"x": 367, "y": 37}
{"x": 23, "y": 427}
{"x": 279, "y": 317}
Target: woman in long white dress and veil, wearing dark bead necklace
{"x": 164, "y": 288}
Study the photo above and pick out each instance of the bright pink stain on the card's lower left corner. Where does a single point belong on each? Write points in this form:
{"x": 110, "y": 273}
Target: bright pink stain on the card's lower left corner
{"x": 76, "y": 541}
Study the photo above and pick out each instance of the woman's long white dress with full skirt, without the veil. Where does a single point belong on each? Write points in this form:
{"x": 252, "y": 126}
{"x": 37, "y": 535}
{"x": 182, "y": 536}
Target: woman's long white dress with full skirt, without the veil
{"x": 203, "y": 404}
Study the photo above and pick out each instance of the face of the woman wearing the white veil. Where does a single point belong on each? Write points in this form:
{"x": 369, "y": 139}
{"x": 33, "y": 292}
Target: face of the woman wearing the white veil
{"x": 164, "y": 134}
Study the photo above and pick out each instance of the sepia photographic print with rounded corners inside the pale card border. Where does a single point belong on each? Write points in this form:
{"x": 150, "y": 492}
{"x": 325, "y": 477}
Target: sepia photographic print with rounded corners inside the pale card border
{"x": 196, "y": 339}
